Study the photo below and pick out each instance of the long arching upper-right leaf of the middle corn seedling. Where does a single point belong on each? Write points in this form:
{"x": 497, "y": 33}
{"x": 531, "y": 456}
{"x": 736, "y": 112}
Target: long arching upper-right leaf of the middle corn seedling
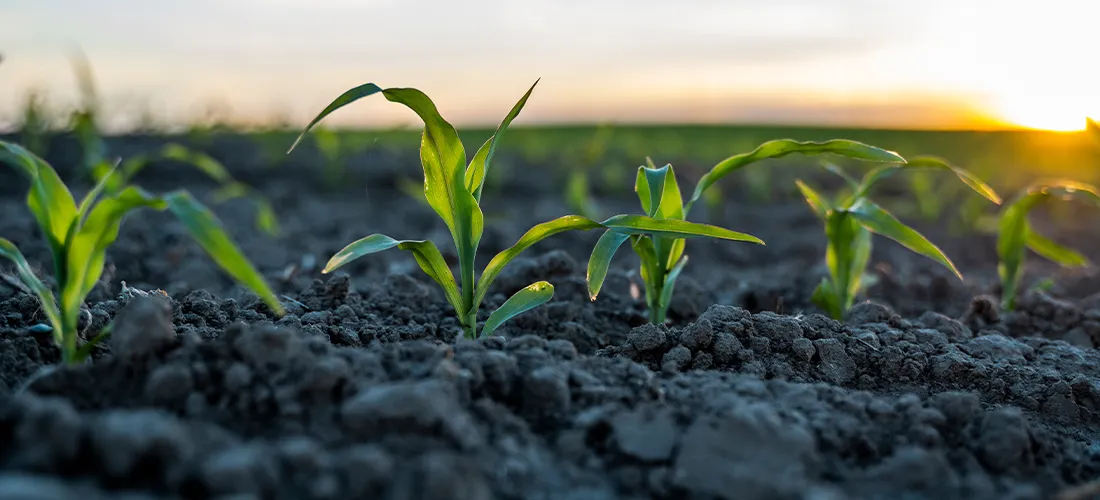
{"x": 787, "y": 147}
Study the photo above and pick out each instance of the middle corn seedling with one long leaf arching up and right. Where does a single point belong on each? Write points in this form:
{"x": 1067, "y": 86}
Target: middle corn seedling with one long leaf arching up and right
{"x": 663, "y": 257}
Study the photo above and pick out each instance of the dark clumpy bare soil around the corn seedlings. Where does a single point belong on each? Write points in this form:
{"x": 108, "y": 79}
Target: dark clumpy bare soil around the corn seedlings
{"x": 365, "y": 391}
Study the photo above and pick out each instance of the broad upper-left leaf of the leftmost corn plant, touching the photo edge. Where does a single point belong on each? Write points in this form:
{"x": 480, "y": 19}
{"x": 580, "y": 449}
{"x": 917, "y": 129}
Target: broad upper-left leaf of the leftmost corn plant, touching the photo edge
{"x": 50, "y": 202}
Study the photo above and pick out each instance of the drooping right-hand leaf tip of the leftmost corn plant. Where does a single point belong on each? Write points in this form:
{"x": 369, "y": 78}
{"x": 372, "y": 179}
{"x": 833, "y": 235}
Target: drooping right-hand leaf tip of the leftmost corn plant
{"x": 211, "y": 236}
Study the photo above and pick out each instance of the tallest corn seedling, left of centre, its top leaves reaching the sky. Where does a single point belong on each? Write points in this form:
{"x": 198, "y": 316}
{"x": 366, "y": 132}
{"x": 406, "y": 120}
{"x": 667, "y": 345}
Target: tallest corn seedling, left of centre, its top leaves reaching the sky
{"x": 454, "y": 190}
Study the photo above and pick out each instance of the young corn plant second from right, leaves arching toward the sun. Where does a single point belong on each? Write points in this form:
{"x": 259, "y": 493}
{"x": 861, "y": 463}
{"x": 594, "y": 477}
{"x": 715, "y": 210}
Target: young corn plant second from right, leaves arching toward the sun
{"x": 852, "y": 219}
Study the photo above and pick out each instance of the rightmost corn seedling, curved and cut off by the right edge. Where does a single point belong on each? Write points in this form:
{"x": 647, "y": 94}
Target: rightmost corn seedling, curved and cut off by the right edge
{"x": 1016, "y": 235}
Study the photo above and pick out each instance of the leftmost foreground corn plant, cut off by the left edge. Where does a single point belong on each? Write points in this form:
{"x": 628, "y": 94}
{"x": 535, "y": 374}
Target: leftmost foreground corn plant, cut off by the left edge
{"x": 79, "y": 237}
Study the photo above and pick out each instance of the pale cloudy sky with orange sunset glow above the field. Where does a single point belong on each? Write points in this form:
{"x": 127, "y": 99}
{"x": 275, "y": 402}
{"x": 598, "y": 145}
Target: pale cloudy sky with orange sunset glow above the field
{"x": 954, "y": 64}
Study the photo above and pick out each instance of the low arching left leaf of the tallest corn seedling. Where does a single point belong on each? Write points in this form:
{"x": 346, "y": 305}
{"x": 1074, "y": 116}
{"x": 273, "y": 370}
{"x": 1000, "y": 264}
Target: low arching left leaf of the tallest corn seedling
{"x": 426, "y": 253}
